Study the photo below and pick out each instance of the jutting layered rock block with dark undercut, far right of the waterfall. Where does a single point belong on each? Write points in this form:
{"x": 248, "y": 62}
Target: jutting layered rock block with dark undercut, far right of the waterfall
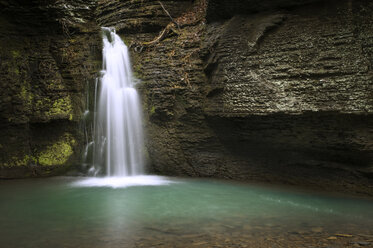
{"x": 291, "y": 92}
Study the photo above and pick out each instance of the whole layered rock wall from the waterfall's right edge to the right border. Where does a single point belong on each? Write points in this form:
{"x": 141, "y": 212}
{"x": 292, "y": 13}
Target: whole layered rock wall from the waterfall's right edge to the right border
{"x": 275, "y": 92}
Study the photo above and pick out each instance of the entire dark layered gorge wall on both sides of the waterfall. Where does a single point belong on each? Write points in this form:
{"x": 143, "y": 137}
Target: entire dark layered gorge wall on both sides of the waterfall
{"x": 276, "y": 91}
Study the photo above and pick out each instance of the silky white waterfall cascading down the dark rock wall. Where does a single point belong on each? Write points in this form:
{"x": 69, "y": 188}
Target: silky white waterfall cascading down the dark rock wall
{"x": 117, "y": 131}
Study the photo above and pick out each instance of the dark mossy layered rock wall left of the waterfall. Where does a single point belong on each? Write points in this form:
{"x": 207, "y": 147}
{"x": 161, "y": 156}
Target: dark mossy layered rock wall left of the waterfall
{"x": 49, "y": 51}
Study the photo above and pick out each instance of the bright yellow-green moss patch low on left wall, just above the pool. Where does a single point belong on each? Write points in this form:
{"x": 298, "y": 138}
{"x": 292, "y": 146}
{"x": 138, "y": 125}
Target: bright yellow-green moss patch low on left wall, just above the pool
{"x": 58, "y": 153}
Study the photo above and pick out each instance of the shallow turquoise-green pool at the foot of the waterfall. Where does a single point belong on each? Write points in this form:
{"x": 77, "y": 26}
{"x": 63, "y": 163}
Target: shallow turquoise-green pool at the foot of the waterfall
{"x": 164, "y": 212}
